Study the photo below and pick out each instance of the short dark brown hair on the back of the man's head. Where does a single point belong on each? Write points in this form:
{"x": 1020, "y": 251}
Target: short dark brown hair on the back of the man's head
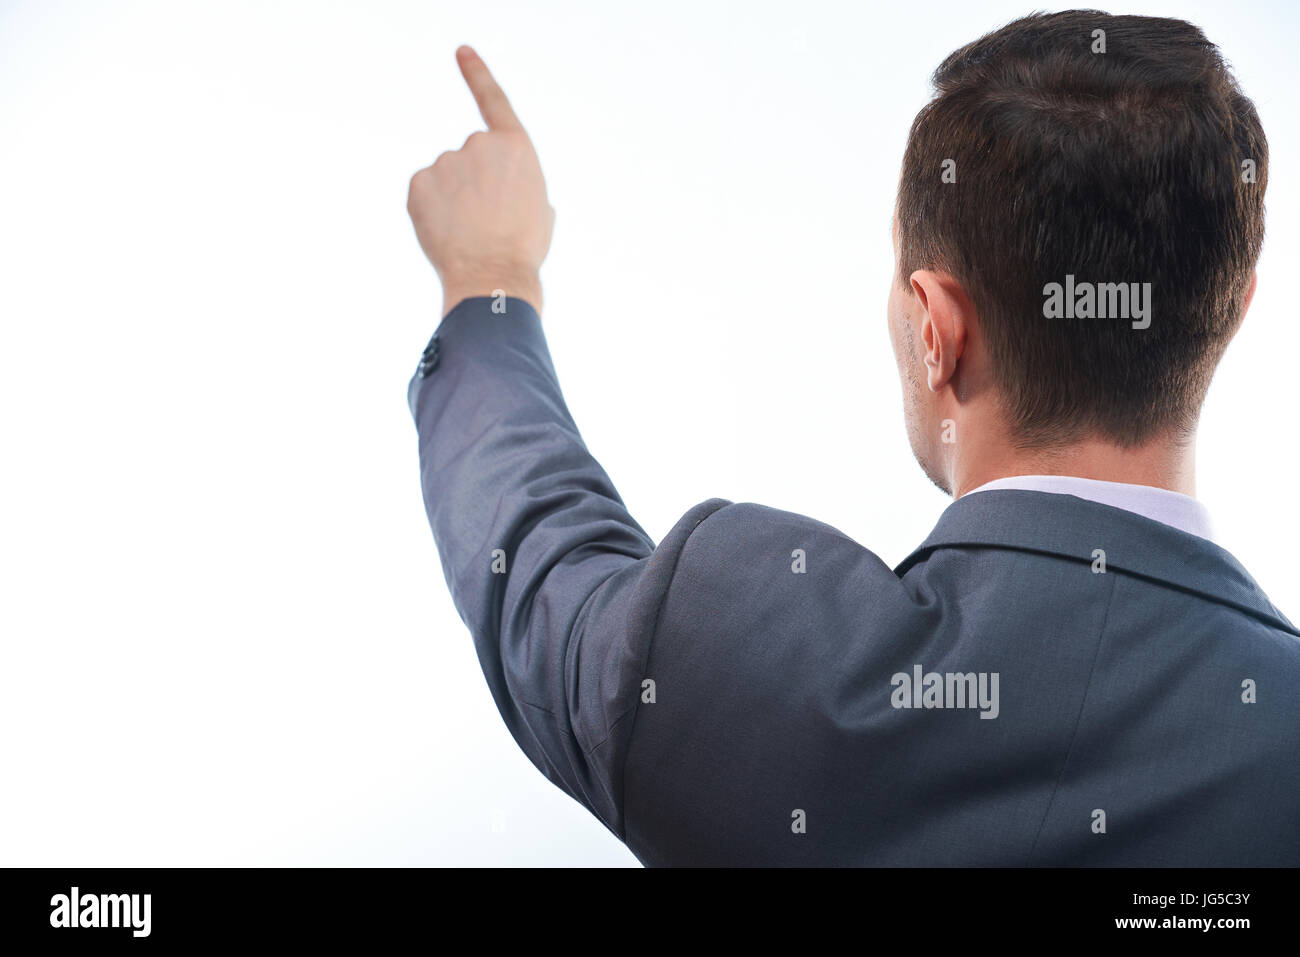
{"x": 1145, "y": 163}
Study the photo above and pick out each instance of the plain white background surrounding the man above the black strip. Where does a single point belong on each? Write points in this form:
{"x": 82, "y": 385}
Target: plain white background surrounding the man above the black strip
{"x": 226, "y": 635}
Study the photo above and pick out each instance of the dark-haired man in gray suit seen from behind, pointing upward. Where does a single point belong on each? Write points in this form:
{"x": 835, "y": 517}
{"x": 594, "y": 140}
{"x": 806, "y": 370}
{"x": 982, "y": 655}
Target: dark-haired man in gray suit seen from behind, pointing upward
{"x": 1069, "y": 670}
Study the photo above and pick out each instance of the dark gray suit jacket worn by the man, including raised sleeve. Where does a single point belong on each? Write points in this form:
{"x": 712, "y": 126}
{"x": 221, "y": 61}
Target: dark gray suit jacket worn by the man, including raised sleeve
{"x": 1045, "y": 682}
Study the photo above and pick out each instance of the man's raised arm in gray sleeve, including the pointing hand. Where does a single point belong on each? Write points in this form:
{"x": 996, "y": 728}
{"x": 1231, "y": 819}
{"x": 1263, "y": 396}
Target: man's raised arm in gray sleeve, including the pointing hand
{"x": 561, "y": 588}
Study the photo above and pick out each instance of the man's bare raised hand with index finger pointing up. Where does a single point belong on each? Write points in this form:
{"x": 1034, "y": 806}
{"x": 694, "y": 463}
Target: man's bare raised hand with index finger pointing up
{"x": 480, "y": 213}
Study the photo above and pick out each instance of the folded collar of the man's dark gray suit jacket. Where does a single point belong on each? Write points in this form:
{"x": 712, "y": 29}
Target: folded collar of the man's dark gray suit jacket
{"x": 1072, "y": 527}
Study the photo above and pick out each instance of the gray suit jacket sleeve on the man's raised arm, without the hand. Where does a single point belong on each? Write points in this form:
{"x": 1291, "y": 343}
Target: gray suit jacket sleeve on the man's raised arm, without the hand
{"x": 560, "y": 587}
